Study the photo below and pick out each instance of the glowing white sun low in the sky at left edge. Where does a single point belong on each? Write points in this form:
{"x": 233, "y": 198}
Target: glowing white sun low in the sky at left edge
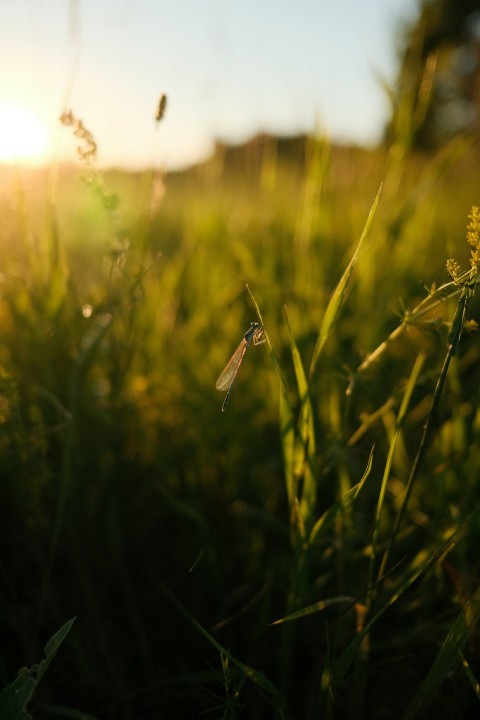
{"x": 22, "y": 135}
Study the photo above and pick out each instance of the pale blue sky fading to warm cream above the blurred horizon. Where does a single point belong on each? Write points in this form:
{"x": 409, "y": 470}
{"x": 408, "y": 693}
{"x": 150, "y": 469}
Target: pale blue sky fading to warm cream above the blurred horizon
{"x": 229, "y": 68}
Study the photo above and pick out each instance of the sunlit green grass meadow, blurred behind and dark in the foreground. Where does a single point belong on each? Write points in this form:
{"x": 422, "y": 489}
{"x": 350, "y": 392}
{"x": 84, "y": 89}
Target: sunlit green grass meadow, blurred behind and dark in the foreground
{"x": 311, "y": 552}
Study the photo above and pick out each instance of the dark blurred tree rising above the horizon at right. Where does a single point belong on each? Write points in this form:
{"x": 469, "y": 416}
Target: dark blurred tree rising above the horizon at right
{"x": 437, "y": 93}
